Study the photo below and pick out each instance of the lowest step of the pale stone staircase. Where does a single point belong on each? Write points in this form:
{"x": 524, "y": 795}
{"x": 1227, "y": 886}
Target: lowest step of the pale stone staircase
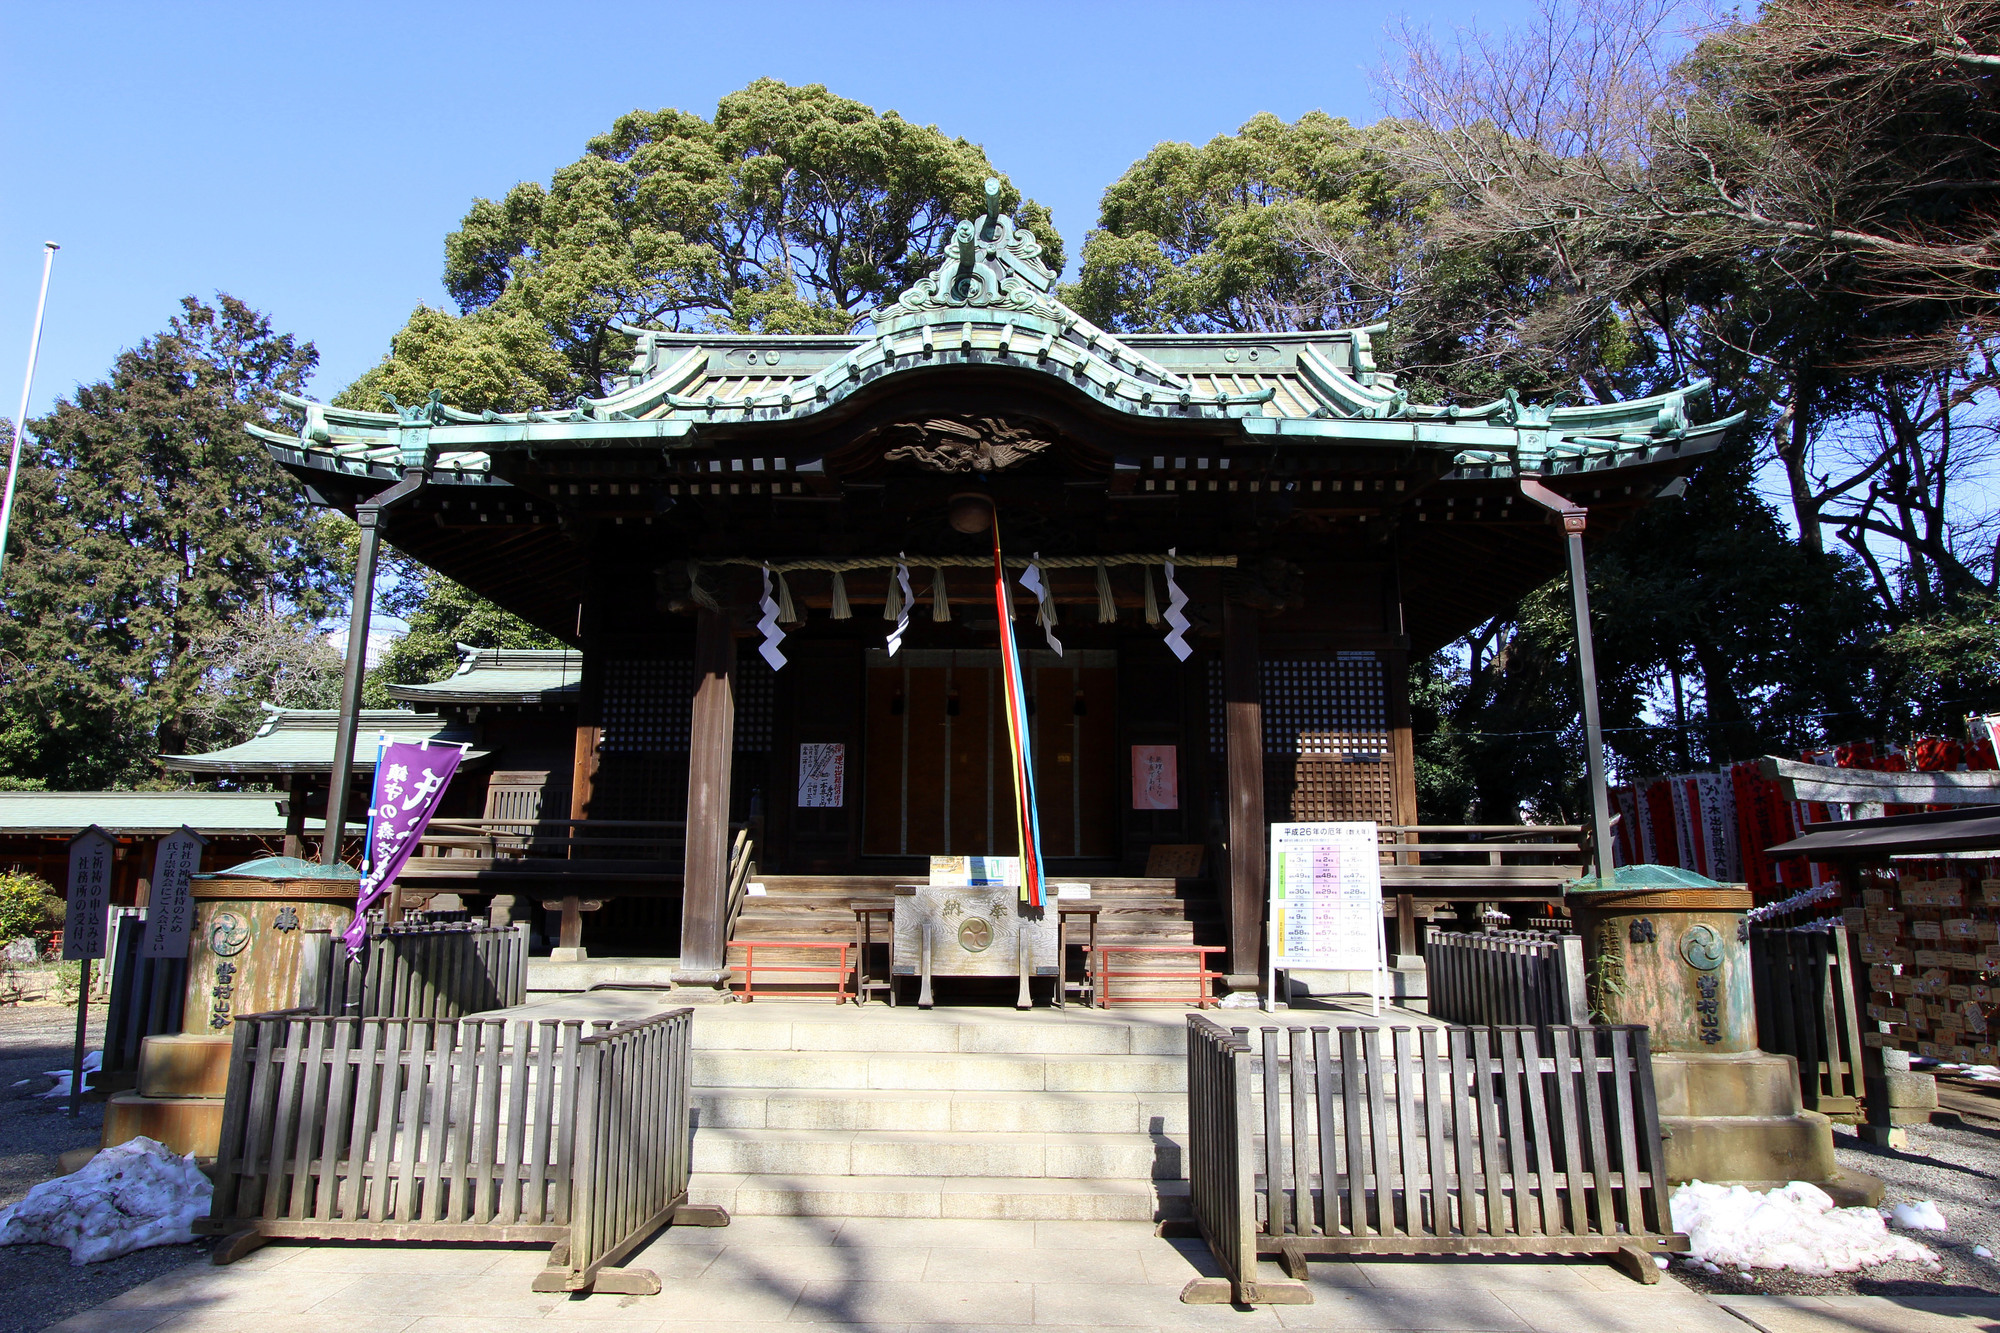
{"x": 919, "y": 1196}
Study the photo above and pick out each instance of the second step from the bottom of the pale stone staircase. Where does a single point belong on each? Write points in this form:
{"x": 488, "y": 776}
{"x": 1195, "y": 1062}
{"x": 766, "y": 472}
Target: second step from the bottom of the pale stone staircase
{"x": 1015, "y": 1156}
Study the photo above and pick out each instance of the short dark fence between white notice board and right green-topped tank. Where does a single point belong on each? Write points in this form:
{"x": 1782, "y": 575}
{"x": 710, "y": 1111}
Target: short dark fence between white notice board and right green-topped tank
{"x": 1507, "y": 978}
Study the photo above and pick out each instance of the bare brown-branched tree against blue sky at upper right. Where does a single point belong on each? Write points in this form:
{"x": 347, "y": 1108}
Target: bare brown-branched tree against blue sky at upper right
{"x": 1805, "y": 207}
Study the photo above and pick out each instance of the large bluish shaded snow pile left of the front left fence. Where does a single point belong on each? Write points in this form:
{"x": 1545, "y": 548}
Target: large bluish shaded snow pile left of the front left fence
{"x": 129, "y": 1198}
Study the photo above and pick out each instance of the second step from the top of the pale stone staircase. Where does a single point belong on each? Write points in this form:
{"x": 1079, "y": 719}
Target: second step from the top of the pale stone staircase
{"x": 941, "y": 1072}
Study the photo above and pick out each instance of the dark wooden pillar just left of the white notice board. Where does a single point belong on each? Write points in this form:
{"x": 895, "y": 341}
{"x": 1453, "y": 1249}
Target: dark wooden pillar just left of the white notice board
{"x": 1243, "y": 720}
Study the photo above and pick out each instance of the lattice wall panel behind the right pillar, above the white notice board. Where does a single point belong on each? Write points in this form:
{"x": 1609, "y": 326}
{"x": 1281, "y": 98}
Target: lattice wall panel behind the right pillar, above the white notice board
{"x": 1327, "y": 738}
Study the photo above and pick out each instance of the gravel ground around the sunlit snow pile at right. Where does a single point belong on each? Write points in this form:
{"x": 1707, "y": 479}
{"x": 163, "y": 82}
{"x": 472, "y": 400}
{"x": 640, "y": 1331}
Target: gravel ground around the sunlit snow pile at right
{"x": 1957, "y": 1164}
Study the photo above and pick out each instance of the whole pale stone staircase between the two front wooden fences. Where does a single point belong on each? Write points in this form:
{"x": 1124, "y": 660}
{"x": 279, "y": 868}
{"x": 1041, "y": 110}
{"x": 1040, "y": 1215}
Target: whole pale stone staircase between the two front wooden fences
{"x": 979, "y": 1114}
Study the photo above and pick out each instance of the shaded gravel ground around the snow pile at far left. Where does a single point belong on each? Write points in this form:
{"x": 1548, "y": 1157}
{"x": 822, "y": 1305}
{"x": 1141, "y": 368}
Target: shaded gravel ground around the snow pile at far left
{"x": 39, "y": 1282}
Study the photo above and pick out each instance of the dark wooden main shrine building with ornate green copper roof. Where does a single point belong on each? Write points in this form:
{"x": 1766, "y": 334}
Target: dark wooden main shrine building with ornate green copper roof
{"x": 1245, "y": 541}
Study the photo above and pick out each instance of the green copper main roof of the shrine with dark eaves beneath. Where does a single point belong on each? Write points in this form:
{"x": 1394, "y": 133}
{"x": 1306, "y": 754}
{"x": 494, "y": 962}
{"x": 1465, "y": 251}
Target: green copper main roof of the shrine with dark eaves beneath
{"x": 743, "y": 449}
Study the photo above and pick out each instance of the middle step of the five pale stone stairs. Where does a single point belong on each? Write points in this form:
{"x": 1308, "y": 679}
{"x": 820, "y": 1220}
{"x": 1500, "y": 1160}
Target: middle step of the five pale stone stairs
{"x": 929, "y": 1112}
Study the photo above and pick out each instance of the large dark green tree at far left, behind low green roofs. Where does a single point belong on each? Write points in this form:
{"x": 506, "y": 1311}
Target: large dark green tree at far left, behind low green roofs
{"x": 151, "y": 539}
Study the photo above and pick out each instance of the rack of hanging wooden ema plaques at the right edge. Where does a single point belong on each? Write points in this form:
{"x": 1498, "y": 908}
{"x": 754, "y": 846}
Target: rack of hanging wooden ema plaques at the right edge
{"x": 1931, "y": 946}
